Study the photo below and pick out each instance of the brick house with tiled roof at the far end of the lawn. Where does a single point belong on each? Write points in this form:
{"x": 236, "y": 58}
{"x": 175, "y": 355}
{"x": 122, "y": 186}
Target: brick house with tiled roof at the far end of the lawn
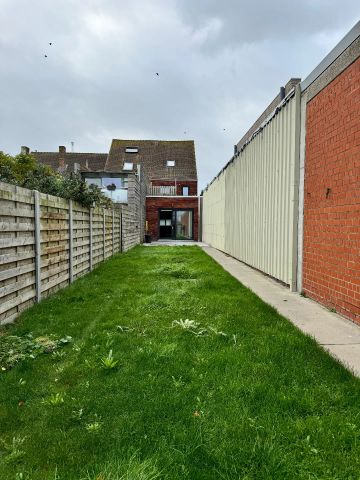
{"x": 170, "y": 169}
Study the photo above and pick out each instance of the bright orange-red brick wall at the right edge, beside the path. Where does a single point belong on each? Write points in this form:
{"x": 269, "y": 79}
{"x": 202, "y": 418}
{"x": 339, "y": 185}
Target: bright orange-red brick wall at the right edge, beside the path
{"x": 331, "y": 268}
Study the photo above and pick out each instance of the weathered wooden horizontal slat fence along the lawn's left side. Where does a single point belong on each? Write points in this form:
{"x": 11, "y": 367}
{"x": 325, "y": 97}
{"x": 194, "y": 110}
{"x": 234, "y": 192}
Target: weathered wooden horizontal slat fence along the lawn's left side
{"x": 46, "y": 242}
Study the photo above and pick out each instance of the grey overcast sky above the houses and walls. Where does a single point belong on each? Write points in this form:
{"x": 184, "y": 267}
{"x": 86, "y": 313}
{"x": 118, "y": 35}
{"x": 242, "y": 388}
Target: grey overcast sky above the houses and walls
{"x": 219, "y": 62}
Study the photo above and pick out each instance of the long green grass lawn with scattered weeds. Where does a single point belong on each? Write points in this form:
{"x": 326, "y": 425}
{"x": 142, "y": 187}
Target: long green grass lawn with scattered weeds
{"x": 236, "y": 392}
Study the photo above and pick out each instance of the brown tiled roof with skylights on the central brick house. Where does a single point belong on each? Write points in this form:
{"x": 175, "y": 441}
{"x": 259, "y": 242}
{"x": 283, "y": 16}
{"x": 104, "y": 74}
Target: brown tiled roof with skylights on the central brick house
{"x": 153, "y": 156}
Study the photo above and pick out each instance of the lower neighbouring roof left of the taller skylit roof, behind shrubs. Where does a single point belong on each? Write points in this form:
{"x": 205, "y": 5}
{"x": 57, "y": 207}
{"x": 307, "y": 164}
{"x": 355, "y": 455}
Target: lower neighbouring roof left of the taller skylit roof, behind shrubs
{"x": 89, "y": 162}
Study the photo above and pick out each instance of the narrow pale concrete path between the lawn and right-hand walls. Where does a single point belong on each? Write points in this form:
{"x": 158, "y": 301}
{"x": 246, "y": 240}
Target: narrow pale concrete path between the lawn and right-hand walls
{"x": 340, "y": 337}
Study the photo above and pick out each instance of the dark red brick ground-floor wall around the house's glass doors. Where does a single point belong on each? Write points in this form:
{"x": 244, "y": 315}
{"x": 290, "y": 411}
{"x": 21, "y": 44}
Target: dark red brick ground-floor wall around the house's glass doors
{"x": 152, "y": 211}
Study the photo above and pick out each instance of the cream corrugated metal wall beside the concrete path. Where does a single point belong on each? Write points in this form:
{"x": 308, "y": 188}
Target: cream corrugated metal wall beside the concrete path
{"x": 250, "y": 209}
